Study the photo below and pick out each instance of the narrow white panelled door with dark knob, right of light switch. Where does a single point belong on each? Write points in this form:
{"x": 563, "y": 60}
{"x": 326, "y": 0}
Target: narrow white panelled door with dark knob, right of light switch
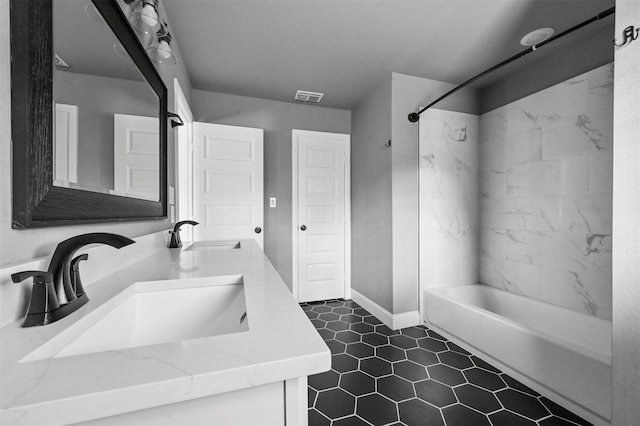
{"x": 320, "y": 214}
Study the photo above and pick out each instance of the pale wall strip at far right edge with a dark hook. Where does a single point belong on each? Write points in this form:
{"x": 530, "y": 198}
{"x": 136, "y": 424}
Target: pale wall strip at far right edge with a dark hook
{"x": 626, "y": 222}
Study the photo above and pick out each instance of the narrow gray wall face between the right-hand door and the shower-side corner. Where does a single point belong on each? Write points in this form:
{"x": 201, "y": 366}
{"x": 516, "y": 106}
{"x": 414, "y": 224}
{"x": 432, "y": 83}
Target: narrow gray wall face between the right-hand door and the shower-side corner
{"x": 371, "y": 247}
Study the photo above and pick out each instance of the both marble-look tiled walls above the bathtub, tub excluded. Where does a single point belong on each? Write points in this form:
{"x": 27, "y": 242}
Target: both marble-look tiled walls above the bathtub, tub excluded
{"x": 520, "y": 197}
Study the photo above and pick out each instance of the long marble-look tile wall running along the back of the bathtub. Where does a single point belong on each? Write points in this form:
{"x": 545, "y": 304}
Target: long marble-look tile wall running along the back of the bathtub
{"x": 545, "y": 180}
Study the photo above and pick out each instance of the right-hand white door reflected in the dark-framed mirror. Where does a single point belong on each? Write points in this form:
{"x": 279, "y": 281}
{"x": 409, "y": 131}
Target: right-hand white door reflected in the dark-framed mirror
{"x": 136, "y": 161}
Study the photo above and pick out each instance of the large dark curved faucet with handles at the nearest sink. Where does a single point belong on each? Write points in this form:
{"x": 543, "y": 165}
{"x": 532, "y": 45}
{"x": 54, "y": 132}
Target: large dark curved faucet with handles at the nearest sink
{"x": 58, "y": 291}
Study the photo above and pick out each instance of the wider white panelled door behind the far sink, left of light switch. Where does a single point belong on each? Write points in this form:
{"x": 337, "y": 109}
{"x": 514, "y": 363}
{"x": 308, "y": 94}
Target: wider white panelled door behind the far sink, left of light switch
{"x": 227, "y": 183}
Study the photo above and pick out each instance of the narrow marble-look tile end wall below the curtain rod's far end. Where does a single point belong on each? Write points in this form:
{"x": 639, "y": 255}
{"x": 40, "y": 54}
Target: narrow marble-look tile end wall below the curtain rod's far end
{"x": 449, "y": 195}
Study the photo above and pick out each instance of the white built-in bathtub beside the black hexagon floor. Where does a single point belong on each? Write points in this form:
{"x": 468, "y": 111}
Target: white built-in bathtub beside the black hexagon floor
{"x": 563, "y": 354}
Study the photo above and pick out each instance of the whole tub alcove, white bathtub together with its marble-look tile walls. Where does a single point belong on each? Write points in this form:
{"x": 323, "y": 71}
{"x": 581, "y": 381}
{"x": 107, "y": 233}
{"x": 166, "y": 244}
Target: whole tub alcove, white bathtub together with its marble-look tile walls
{"x": 520, "y": 199}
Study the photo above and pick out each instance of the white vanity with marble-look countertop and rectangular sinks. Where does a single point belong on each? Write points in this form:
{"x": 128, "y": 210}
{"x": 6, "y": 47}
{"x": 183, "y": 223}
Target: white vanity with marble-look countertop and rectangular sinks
{"x": 205, "y": 334}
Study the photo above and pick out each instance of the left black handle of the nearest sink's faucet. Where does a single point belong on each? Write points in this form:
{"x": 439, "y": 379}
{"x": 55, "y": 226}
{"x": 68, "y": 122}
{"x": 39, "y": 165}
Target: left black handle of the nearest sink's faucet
{"x": 43, "y": 297}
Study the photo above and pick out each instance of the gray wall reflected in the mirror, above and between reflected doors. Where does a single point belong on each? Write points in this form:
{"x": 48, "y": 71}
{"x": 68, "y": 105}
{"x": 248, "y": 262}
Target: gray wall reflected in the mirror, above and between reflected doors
{"x": 98, "y": 99}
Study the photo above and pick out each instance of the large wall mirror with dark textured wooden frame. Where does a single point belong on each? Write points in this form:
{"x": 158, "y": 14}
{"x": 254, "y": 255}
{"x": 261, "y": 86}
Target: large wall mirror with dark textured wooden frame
{"x": 46, "y": 191}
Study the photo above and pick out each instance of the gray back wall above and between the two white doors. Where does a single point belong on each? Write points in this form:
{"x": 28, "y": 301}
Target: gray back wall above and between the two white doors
{"x": 277, "y": 119}
